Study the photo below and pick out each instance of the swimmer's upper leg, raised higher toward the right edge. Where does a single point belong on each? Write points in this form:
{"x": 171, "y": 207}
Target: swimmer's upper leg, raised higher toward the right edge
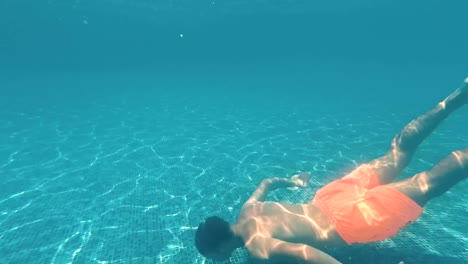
{"x": 405, "y": 143}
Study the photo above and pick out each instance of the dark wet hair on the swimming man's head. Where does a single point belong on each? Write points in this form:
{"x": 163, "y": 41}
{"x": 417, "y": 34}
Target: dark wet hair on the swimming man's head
{"x": 210, "y": 233}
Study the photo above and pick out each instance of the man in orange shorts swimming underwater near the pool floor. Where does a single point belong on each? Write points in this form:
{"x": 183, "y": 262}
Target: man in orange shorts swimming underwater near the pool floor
{"x": 363, "y": 206}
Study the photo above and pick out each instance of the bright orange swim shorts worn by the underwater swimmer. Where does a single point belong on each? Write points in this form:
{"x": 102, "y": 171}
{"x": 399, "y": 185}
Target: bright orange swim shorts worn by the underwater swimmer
{"x": 362, "y": 210}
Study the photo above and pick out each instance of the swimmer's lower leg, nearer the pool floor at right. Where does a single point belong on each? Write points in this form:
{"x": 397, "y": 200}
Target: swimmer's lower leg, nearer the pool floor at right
{"x": 427, "y": 185}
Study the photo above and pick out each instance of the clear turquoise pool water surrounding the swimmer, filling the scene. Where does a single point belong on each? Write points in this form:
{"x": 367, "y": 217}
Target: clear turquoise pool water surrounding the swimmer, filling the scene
{"x": 124, "y": 124}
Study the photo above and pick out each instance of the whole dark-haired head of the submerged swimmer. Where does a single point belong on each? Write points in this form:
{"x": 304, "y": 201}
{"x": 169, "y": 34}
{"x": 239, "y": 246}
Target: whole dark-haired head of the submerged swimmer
{"x": 213, "y": 237}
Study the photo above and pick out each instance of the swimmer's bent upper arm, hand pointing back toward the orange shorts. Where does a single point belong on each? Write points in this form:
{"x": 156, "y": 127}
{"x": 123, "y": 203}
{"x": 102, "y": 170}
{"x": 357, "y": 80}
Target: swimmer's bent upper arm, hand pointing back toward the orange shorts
{"x": 271, "y": 184}
